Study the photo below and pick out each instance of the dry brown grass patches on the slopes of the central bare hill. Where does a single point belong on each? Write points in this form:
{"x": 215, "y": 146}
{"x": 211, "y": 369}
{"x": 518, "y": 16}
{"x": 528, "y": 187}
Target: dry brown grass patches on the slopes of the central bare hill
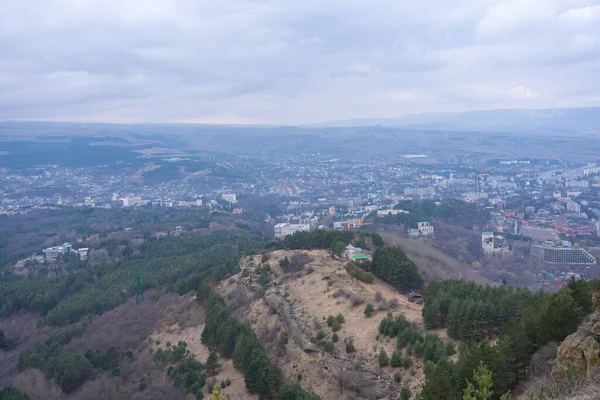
{"x": 313, "y": 300}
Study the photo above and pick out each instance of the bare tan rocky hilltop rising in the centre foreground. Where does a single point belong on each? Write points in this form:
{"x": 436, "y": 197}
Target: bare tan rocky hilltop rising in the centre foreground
{"x": 288, "y": 311}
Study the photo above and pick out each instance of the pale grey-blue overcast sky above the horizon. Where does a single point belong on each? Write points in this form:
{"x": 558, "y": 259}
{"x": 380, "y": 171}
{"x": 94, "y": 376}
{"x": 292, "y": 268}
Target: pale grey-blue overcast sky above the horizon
{"x": 281, "y": 61}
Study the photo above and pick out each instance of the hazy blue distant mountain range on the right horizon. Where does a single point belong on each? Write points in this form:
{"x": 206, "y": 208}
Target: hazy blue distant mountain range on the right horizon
{"x": 556, "y": 119}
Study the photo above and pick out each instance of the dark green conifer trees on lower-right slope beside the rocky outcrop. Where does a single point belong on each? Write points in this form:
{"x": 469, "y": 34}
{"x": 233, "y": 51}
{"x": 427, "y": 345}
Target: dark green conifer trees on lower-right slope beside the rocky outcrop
{"x": 522, "y": 323}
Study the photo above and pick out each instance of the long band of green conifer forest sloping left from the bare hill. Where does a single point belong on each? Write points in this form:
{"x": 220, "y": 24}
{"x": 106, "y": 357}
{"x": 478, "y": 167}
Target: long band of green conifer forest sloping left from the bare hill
{"x": 180, "y": 263}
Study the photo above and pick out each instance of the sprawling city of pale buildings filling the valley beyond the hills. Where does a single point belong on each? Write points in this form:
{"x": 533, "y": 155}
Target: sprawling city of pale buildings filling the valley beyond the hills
{"x": 547, "y": 202}
